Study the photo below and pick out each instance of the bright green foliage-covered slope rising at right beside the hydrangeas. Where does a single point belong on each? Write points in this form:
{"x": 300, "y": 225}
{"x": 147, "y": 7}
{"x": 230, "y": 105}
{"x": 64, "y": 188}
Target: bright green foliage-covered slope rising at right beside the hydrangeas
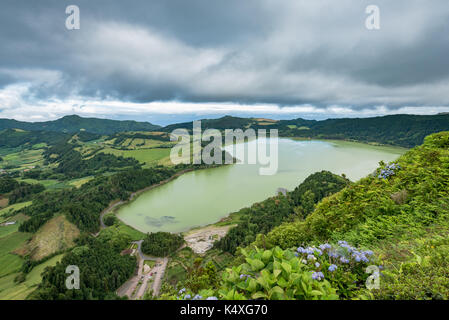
{"x": 404, "y": 217}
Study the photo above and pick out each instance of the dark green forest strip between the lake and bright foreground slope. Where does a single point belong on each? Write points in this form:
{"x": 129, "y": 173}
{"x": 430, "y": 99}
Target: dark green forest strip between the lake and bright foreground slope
{"x": 262, "y": 217}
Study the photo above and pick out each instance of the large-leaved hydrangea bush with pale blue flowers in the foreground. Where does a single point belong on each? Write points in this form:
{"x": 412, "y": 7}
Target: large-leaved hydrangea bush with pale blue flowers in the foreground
{"x": 305, "y": 273}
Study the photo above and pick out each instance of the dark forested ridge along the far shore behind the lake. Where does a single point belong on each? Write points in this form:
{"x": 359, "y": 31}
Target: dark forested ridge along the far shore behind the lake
{"x": 401, "y": 130}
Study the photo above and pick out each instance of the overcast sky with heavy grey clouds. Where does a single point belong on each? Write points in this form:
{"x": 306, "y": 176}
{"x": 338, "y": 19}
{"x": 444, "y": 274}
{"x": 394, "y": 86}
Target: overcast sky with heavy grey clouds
{"x": 171, "y": 60}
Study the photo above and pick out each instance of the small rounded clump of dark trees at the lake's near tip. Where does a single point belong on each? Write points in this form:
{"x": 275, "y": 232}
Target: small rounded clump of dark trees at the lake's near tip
{"x": 161, "y": 244}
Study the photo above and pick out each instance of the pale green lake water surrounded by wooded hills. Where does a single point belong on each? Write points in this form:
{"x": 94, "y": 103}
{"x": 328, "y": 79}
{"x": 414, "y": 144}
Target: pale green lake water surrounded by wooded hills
{"x": 205, "y": 196}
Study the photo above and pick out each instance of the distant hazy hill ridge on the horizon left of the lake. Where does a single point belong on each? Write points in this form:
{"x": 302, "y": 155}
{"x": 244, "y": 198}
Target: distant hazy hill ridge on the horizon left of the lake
{"x": 76, "y": 123}
